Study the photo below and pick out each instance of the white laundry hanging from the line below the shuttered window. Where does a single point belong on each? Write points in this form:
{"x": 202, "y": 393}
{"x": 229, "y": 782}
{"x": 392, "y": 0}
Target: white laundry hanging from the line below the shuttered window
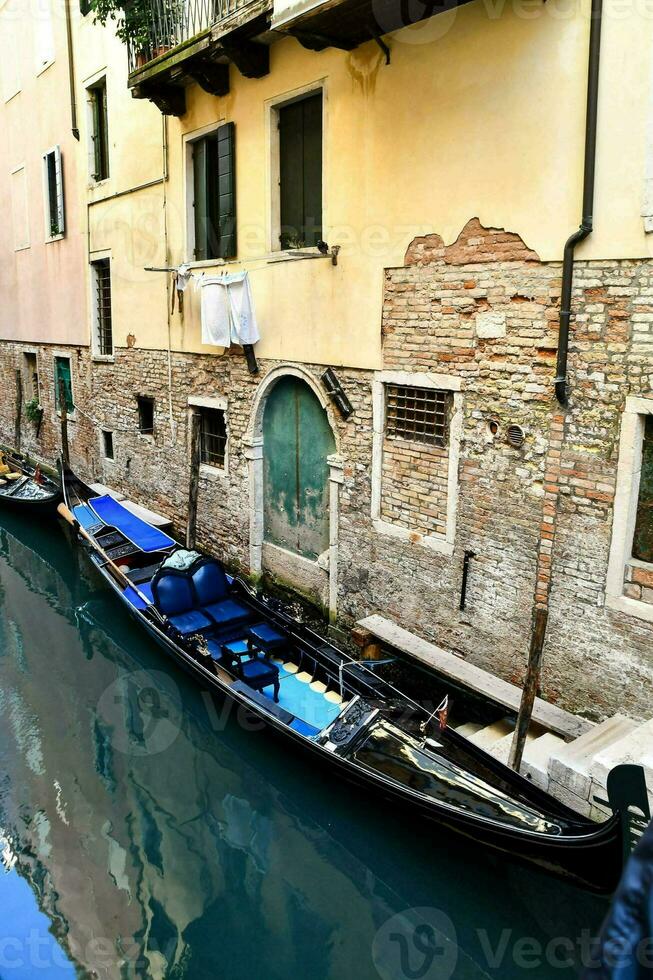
{"x": 227, "y": 306}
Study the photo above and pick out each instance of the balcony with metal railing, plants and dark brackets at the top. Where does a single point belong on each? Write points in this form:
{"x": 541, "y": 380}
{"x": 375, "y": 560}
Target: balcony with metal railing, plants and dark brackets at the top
{"x": 172, "y": 43}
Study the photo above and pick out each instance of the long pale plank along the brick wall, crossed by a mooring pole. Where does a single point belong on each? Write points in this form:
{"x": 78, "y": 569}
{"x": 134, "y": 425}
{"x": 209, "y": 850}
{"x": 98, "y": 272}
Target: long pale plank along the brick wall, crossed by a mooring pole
{"x": 550, "y": 716}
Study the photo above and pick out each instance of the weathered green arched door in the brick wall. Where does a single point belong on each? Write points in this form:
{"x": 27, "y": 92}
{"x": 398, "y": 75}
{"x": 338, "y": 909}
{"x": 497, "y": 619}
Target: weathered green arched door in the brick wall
{"x": 297, "y": 439}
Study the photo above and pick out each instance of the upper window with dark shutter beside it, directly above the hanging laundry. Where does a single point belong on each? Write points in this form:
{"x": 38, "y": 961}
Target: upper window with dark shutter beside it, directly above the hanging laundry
{"x": 214, "y": 194}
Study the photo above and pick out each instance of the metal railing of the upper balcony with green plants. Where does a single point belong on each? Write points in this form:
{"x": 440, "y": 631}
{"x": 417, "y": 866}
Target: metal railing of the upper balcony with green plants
{"x": 157, "y": 26}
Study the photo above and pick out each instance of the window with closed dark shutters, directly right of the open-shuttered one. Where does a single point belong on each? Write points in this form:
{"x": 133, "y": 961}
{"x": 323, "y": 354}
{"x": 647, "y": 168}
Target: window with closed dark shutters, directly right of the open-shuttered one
{"x": 300, "y": 172}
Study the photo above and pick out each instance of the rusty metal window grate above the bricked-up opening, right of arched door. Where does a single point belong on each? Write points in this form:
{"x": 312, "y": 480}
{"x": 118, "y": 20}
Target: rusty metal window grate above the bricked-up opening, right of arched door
{"x": 417, "y": 414}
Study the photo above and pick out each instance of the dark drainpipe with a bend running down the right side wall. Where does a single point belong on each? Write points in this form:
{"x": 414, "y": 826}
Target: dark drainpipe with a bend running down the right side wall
{"x": 587, "y": 220}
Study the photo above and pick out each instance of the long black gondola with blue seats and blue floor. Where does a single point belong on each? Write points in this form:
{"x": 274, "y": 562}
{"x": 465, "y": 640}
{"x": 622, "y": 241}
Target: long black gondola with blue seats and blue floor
{"x": 245, "y": 647}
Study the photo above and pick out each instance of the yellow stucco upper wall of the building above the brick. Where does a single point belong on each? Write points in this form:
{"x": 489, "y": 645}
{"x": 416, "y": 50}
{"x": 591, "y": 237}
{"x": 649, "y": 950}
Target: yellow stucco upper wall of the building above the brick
{"x": 480, "y": 114}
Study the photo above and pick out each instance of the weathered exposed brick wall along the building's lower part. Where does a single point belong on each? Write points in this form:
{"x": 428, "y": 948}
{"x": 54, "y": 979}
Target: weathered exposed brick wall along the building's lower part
{"x": 538, "y": 518}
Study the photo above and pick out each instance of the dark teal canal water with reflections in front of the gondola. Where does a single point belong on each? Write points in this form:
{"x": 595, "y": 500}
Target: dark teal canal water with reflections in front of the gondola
{"x": 147, "y": 832}
